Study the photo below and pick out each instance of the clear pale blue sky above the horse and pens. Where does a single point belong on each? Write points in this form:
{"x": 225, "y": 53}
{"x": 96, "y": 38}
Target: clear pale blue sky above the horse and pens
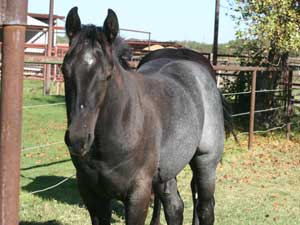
{"x": 167, "y": 20}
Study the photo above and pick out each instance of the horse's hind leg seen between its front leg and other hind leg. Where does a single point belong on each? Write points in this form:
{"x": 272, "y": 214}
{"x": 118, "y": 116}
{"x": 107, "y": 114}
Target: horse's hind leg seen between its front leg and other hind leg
{"x": 171, "y": 200}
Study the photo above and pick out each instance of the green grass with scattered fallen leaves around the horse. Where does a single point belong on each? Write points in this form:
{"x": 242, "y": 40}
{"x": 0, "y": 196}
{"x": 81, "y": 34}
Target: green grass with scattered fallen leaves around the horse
{"x": 258, "y": 187}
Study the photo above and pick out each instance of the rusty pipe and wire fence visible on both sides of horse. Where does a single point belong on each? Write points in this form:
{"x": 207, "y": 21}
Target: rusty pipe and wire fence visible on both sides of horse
{"x": 222, "y": 71}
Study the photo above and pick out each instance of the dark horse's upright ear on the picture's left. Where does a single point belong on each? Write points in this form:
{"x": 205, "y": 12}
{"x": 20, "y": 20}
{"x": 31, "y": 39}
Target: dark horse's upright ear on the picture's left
{"x": 73, "y": 24}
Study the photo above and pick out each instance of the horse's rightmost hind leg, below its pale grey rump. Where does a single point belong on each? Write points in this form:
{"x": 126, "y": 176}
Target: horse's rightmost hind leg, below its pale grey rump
{"x": 204, "y": 170}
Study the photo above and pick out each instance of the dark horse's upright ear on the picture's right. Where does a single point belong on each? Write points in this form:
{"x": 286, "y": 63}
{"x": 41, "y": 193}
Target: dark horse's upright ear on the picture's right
{"x": 111, "y": 26}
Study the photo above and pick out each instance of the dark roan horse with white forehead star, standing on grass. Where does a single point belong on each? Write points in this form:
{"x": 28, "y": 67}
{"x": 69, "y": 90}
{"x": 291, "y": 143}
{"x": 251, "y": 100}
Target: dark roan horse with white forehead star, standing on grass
{"x": 133, "y": 132}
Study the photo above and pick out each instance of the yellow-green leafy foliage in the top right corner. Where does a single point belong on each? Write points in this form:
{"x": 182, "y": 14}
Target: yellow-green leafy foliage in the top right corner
{"x": 273, "y": 24}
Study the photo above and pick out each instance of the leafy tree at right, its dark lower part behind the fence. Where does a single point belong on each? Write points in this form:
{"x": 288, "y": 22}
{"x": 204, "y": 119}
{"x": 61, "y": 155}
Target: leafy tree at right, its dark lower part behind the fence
{"x": 269, "y": 30}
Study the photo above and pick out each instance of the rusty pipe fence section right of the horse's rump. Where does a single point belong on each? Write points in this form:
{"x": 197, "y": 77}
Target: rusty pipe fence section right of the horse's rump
{"x": 285, "y": 87}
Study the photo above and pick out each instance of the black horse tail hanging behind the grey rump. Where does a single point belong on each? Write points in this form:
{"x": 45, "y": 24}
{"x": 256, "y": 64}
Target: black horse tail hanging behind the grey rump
{"x": 228, "y": 124}
